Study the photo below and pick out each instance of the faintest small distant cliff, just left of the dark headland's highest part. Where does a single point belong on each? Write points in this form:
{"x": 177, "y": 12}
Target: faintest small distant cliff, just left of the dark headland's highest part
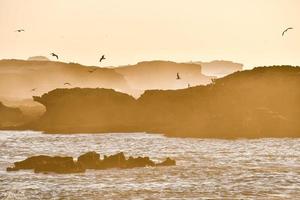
{"x": 220, "y": 68}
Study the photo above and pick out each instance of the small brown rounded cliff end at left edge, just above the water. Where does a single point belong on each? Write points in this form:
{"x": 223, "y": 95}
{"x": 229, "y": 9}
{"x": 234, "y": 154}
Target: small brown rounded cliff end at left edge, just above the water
{"x": 9, "y": 116}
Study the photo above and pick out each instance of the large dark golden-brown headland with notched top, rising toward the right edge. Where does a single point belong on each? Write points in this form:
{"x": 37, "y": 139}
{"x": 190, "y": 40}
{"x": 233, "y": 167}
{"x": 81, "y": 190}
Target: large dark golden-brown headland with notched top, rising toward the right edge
{"x": 263, "y": 102}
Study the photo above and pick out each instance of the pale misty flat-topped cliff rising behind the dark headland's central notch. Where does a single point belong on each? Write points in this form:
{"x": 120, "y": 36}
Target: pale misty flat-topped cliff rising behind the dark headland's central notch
{"x": 163, "y": 75}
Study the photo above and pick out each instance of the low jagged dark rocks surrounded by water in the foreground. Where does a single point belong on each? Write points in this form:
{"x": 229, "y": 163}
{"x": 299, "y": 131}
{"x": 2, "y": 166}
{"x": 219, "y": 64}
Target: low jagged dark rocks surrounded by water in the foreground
{"x": 90, "y": 160}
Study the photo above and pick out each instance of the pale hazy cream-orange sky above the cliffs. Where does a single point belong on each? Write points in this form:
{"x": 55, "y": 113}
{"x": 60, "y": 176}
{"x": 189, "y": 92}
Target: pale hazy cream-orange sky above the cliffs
{"x": 246, "y": 31}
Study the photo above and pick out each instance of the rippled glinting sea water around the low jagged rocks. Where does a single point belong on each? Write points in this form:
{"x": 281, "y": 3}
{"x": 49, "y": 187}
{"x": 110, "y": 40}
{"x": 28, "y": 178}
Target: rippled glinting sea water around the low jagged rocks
{"x": 206, "y": 168}
